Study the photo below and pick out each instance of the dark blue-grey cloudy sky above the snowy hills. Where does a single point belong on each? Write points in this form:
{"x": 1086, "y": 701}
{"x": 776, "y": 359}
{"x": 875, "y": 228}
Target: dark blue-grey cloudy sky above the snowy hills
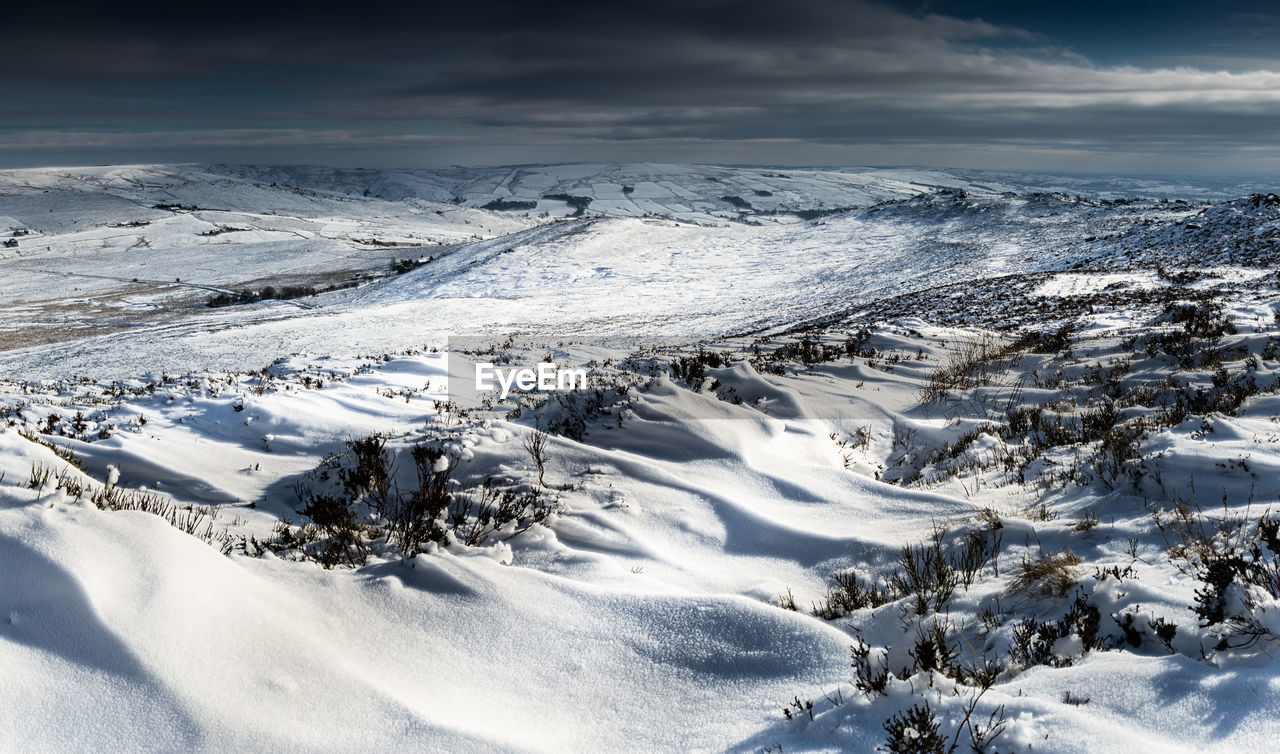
{"x": 1137, "y": 88}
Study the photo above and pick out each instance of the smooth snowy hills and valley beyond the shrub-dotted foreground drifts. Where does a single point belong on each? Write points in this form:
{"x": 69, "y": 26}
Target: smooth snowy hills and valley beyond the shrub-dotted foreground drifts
{"x": 115, "y": 282}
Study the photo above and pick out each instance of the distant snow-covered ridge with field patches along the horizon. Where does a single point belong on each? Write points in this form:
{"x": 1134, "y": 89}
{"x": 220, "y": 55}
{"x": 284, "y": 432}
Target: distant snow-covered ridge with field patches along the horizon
{"x": 693, "y": 194}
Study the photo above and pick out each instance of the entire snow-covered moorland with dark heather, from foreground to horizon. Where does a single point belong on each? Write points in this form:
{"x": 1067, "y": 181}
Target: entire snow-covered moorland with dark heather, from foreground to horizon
{"x": 913, "y": 460}
